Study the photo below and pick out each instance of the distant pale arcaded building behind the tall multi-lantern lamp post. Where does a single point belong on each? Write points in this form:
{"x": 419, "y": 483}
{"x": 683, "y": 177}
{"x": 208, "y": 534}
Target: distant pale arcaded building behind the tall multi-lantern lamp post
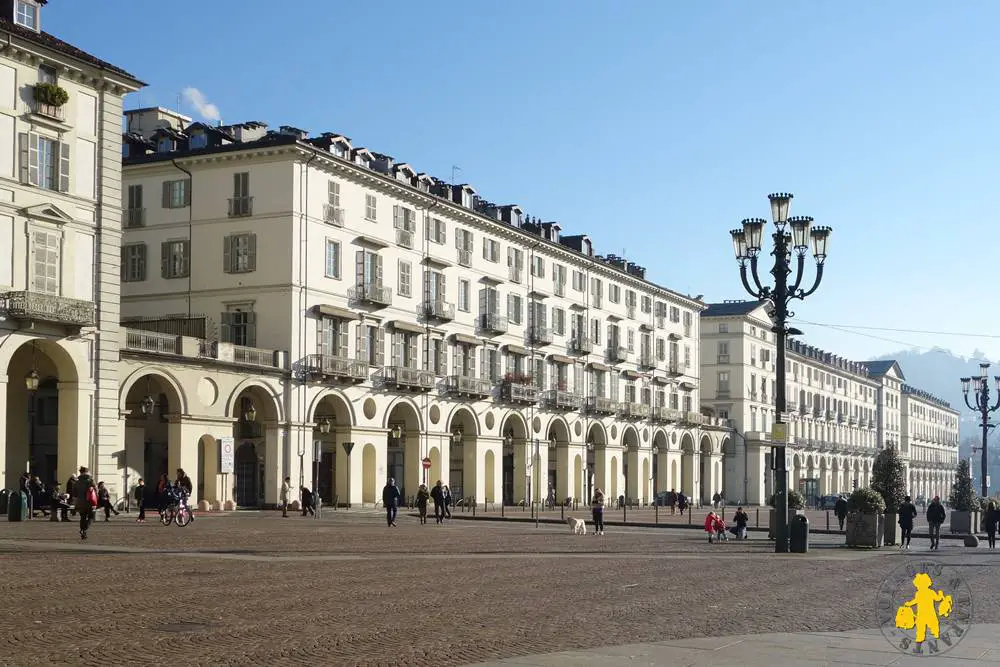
{"x": 839, "y": 413}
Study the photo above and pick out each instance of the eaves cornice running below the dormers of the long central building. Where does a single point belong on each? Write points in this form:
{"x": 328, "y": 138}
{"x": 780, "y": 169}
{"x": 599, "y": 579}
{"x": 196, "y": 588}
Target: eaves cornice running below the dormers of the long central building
{"x": 288, "y": 140}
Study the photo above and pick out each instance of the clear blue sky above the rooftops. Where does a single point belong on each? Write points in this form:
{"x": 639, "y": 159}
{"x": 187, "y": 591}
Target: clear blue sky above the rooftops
{"x": 654, "y": 126}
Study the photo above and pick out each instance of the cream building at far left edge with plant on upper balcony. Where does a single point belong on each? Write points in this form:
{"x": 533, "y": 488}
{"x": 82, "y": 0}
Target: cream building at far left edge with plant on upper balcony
{"x": 60, "y": 230}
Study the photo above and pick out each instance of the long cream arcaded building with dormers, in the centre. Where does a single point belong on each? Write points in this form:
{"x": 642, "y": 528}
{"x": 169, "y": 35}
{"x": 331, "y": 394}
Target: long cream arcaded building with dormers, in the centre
{"x": 412, "y": 328}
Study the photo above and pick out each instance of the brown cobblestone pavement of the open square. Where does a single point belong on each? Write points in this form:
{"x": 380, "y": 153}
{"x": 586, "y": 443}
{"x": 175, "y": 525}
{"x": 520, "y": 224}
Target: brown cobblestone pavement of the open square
{"x": 253, "y": 589}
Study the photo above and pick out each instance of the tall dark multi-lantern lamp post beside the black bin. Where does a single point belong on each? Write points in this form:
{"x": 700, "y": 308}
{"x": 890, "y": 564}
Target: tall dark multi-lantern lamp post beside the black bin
{"x": 747, "y": 243}
